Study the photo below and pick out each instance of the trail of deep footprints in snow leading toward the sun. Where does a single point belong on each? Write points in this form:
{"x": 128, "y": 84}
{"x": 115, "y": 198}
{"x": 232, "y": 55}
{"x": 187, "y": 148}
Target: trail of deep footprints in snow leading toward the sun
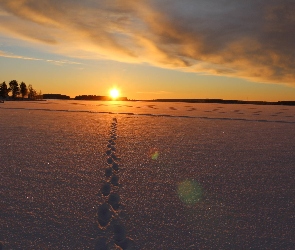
{"x": 108, "y": 214}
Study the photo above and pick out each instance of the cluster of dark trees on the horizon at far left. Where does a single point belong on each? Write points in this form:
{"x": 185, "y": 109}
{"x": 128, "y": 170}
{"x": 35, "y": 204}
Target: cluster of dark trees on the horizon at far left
{"x": 17, "y": 90}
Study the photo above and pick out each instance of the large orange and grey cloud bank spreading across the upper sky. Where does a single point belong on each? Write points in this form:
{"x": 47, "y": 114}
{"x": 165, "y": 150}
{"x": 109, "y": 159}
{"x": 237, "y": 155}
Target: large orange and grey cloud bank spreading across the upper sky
{"x": 248, "y": 39}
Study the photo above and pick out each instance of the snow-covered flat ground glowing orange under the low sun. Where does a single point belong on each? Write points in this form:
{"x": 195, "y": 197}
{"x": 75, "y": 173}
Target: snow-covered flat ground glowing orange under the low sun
{"x": 146, "y": 175}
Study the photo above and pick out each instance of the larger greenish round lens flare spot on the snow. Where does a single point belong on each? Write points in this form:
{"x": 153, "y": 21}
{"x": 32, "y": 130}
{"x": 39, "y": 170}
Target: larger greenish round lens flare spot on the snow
{"x": 189, "y": 192}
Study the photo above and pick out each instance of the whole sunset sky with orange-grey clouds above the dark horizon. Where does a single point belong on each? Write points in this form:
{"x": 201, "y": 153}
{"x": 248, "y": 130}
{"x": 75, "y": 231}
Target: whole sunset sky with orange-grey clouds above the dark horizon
{"x": 151, "y": 49}
